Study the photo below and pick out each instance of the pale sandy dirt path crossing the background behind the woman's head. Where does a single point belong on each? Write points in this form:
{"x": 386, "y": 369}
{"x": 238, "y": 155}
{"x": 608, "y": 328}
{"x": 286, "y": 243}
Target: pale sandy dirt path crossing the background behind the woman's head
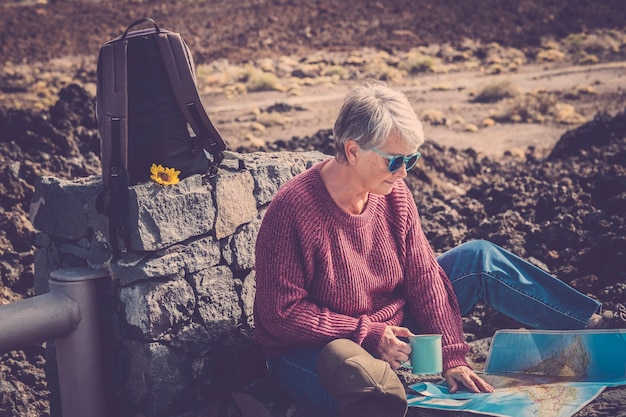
{"x": 317, "y": 106}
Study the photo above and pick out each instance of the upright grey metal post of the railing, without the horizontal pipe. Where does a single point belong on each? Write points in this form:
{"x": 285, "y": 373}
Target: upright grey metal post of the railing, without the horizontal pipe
{"x": 79, "y": 353}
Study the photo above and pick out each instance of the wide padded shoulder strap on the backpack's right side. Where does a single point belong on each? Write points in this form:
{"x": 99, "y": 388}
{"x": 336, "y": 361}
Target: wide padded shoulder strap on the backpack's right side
{"x": 180, "y": 70}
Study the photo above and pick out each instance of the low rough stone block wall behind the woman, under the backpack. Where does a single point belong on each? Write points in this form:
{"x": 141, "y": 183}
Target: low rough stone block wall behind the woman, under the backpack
{"x": 177, "y": 311}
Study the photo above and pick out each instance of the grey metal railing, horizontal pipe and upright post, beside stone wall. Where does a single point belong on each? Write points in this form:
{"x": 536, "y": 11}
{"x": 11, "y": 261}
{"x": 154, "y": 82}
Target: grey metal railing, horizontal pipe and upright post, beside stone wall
{"x": 69, "y": 315}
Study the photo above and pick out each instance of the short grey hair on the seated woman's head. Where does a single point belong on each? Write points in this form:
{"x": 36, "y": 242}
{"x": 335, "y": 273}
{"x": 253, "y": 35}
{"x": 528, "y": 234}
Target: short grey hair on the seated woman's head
{"x": 370, "y": 113}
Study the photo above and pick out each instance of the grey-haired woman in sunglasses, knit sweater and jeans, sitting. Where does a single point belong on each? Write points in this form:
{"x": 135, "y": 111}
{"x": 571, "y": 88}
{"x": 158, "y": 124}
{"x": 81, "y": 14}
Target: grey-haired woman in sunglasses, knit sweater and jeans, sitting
{"x": 341, "y": 255}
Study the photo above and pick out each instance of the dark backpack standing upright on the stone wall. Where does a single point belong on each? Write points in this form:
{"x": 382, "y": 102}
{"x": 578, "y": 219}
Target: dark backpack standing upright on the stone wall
{"x": 149, "y": 112}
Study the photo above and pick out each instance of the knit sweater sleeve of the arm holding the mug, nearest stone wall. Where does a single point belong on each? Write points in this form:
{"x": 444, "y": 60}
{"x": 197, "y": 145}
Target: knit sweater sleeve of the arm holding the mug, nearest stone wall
{"x": 284, "y": 314}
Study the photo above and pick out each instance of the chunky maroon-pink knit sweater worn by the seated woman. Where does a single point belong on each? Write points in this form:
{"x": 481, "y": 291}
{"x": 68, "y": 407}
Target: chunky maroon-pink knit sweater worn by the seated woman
{"x": 323, "y": 274}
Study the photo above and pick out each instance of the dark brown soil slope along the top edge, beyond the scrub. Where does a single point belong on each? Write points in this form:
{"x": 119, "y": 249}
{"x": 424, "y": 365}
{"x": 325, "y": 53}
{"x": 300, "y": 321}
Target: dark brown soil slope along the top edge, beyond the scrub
{"x": 251, "y": 29}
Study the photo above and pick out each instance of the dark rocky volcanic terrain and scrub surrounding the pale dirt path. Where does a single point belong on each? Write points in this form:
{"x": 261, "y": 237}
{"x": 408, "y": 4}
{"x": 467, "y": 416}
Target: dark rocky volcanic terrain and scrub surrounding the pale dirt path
{"x": 561, "y": 206}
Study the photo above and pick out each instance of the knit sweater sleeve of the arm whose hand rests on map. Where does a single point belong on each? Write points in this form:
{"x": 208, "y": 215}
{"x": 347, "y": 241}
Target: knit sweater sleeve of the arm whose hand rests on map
{"x": 430, "y": 294}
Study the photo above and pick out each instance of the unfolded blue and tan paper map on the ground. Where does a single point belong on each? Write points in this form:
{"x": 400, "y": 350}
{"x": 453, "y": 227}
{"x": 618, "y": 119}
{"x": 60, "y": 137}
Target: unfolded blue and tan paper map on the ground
{"x": 538, "y": 373}
